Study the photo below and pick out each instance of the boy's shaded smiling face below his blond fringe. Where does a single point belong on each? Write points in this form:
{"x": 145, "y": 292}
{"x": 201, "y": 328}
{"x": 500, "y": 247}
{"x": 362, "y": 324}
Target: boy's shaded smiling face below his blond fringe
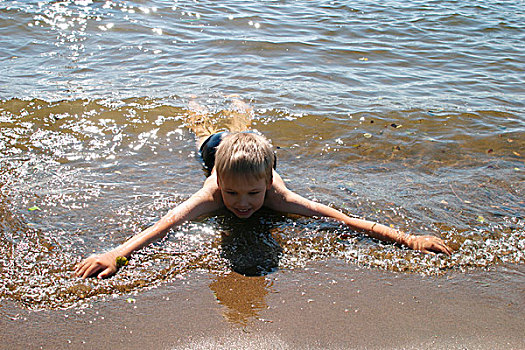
{"x": 242, "y": 195}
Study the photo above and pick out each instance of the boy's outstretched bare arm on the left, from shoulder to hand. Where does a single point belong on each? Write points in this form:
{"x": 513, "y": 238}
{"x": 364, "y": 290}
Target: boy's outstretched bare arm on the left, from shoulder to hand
{"x": 204, "y": 201}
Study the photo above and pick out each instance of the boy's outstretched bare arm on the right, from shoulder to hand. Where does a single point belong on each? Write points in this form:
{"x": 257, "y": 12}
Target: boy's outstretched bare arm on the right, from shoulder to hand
{"x": 282, "y": 199}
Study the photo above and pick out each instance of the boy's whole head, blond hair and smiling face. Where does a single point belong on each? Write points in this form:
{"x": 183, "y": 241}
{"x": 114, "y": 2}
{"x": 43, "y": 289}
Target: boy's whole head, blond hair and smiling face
{"x": 244, "y": 164}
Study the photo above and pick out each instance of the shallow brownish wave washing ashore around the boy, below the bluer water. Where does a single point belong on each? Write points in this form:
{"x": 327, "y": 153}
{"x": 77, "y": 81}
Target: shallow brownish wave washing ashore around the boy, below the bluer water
{"x": 76, "y": 177}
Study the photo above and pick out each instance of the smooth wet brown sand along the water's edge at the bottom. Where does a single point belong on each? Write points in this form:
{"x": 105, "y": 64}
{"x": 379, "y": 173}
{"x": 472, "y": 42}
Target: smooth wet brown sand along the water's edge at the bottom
{"x": 325, "y": 305}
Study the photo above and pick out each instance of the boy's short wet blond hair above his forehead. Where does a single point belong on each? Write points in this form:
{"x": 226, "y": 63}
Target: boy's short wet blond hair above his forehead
{"x": 245, "y": 153}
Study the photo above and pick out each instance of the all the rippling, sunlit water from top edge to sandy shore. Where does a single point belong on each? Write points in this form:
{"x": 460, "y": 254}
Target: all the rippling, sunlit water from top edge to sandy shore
{"x": 409, "y": 113}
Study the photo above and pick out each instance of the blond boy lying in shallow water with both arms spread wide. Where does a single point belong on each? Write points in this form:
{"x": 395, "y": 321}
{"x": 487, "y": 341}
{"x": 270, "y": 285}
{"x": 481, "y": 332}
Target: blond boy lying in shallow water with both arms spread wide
{"x": 242, "y": 179}
